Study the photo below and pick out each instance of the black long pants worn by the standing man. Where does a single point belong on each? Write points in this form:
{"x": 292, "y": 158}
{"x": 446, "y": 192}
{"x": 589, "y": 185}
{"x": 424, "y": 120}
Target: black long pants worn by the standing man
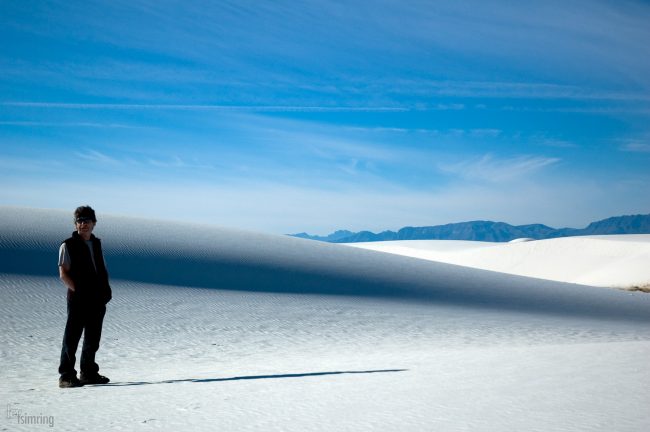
{"x": 86, "y": 318}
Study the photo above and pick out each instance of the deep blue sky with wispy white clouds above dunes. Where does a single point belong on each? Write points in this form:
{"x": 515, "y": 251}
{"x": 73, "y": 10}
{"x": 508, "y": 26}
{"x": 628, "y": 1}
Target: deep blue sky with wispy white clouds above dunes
{"x": 286, "y": 116}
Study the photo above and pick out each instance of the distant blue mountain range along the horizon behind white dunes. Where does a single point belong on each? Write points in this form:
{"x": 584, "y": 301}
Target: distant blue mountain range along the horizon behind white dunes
{"x": 491, "y": 231}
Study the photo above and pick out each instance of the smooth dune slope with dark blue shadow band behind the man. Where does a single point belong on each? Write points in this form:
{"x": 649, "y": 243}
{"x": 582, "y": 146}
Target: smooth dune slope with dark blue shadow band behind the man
{"x": 211, "y": 257}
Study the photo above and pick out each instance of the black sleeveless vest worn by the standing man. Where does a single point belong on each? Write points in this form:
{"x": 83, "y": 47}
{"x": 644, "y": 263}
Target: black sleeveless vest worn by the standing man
{"x": 91, "y": 284}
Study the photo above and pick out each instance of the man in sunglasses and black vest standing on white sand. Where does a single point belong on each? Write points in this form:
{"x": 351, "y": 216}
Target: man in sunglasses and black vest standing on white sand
{"x": 83, "y": 271}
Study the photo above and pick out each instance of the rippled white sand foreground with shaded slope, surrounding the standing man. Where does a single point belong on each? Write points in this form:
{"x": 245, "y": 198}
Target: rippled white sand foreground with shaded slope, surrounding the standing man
{"x": 218, "y": 329}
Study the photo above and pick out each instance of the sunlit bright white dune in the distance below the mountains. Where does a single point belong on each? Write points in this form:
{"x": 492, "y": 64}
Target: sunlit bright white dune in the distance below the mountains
{"x": 619, "y": 261}
